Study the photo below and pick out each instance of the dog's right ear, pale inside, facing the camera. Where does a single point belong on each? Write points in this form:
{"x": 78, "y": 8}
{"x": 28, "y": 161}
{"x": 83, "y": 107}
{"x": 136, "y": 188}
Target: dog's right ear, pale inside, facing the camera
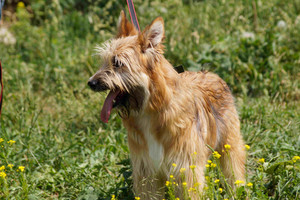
{"x": 153, "y": 35}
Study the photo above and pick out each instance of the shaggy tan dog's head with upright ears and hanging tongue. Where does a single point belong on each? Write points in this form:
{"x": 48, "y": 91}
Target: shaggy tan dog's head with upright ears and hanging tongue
{"x": 127, "y": 65}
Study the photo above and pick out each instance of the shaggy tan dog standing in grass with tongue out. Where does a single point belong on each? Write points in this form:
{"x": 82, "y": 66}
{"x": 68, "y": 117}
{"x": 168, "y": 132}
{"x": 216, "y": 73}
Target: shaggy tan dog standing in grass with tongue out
{"x": 168, "y": 116}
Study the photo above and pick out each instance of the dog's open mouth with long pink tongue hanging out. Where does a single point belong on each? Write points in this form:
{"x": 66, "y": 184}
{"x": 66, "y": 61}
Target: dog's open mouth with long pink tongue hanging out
{"x": 113, "y": 99}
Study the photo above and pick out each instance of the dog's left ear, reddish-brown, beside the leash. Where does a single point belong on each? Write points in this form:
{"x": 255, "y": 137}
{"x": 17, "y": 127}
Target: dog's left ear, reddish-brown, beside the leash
{"x": 125, "y": 28}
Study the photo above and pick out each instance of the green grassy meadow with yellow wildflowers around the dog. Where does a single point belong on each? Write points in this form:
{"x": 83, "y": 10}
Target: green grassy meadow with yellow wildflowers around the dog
{"x": 53, "y": 144}
